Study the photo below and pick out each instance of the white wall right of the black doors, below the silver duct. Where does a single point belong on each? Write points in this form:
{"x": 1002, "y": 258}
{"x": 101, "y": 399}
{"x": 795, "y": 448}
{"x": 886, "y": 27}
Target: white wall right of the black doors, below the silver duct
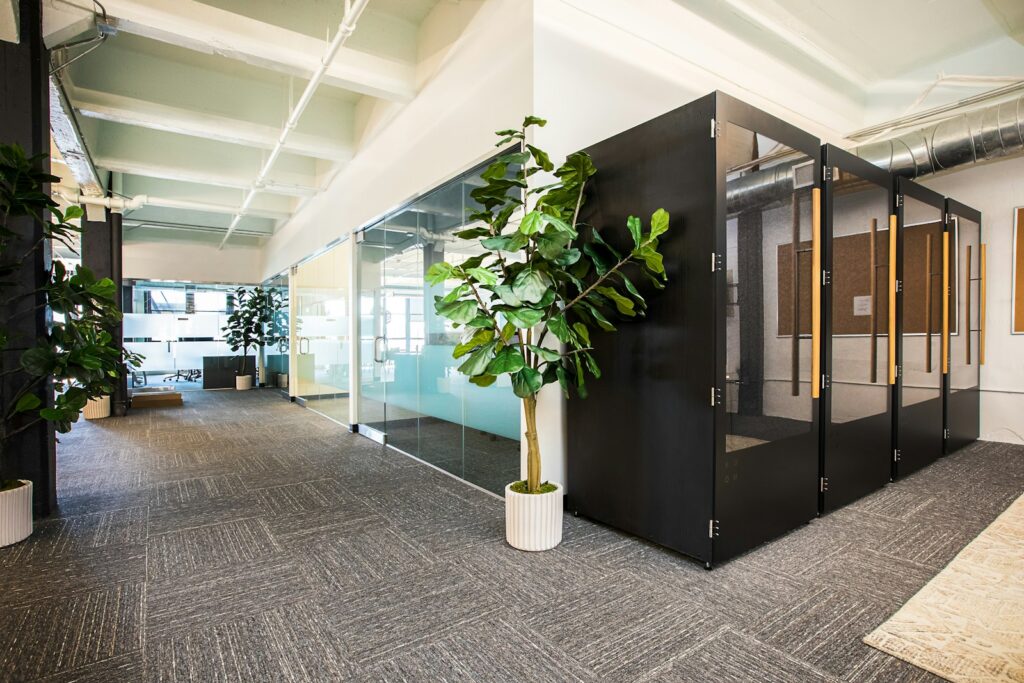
{"x": 995, "y": 190}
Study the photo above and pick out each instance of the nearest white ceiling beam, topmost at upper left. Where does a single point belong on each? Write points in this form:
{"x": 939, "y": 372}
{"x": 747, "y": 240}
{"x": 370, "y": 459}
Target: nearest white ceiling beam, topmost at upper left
{"x": 199, "y": 27}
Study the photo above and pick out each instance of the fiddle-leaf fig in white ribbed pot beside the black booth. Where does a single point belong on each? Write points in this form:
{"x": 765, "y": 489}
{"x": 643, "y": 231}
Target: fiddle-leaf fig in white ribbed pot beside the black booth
{"x": 530, "y": 305}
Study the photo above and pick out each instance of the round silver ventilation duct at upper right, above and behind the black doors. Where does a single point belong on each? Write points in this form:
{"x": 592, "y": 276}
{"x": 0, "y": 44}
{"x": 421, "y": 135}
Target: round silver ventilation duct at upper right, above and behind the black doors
{"x": 972, "y": 138}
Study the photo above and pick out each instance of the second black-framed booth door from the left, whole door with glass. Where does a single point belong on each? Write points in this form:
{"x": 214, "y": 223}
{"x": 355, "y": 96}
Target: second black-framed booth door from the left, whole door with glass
{"x": 858, "y": 204}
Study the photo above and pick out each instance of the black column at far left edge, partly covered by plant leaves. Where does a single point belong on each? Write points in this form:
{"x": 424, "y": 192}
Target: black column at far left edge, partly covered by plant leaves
{"x": 25, "y": 107}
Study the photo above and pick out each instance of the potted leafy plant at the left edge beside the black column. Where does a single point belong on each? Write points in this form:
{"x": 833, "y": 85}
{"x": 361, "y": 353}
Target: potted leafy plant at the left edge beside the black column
{"x": 77, "y": 358}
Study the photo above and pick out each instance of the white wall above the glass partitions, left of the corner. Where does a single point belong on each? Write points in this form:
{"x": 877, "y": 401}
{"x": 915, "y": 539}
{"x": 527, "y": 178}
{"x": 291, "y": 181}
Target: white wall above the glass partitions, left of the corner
{"x": 482, "y": 84}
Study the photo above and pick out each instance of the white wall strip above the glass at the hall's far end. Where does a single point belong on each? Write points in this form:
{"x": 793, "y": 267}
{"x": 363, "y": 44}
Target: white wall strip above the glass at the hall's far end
{"x": 196, "y": 263}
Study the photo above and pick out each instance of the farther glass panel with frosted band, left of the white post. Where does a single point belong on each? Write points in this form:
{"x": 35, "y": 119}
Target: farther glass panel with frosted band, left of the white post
{"x": 321, "y": 351}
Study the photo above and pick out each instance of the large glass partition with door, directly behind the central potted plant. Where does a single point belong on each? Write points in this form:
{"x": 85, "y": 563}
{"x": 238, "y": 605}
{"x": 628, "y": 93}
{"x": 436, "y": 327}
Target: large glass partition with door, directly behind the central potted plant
{"x": 411, "y": 395}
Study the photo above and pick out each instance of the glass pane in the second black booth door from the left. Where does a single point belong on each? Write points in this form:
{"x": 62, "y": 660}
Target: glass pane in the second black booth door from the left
{"x": 861, "y": 303}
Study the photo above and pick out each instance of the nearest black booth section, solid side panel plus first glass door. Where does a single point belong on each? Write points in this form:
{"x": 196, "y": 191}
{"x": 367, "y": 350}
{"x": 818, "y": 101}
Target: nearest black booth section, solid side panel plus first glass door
{"x": 703, "y": 435}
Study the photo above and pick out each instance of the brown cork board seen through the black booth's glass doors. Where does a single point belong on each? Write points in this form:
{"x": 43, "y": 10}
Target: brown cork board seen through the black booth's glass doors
{"x": 852, "y": 303}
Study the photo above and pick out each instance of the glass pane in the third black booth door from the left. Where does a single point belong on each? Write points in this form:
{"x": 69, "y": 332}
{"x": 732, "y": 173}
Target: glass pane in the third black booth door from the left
{"x": 922, "y": 316}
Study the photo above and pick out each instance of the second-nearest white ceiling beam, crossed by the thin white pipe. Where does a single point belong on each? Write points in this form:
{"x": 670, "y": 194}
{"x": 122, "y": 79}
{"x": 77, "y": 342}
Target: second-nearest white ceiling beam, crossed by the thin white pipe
{"x": 134, "y": 112}
